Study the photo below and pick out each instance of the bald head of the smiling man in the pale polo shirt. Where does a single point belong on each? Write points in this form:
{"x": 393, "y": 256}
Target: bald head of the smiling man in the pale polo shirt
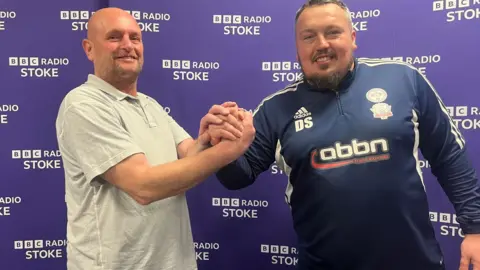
{"x": 114, "y": 45}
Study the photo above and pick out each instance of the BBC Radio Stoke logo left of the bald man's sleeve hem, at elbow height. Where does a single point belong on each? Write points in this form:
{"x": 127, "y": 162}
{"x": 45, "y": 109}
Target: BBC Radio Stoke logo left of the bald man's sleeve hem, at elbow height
{"x": 38, "y": 159}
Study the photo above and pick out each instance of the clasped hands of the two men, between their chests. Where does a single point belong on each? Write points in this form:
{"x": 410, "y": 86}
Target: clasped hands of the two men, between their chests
{"x": 228, "y": 126}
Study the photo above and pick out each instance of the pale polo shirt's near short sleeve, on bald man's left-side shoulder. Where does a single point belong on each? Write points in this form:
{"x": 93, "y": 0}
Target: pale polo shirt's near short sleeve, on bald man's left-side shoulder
{"x": 92, "y": 133}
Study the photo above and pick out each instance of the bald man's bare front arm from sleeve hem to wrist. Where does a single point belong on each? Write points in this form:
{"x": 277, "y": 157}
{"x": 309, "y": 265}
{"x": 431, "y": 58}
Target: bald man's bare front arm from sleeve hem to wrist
{"x": 146, "y": 184}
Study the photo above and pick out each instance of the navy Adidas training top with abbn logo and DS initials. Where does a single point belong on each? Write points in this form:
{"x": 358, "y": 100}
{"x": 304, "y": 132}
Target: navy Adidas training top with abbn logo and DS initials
{"x": 355, "y": 188}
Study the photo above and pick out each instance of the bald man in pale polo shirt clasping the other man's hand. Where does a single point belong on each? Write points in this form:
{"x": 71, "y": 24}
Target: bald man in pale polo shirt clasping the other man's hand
{"x": 128, "y": 163}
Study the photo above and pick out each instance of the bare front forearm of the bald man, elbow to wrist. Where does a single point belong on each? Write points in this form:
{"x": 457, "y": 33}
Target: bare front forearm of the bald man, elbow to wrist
{"x": 170, "y": 179}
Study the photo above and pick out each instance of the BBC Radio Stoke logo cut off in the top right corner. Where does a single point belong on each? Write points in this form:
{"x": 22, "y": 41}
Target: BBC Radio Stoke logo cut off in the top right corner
{"x": 458, "y": 10}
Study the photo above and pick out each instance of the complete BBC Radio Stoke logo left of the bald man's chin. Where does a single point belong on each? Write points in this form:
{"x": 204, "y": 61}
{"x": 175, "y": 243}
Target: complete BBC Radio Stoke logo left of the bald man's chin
{"x": 38, "y": 67}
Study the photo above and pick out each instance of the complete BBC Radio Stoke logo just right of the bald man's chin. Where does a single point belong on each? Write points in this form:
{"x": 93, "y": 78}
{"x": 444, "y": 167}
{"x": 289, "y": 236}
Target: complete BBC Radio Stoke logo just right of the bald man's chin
{"x": 188, "y": 70}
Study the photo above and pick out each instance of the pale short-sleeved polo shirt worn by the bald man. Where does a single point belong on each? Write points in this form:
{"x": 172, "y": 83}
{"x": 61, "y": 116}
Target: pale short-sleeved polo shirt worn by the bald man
{"x": 97, "y": 127}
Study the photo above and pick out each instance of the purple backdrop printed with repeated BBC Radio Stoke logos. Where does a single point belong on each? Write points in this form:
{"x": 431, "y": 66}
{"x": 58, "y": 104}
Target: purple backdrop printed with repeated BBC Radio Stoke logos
{"x": 200, "y": 53}
